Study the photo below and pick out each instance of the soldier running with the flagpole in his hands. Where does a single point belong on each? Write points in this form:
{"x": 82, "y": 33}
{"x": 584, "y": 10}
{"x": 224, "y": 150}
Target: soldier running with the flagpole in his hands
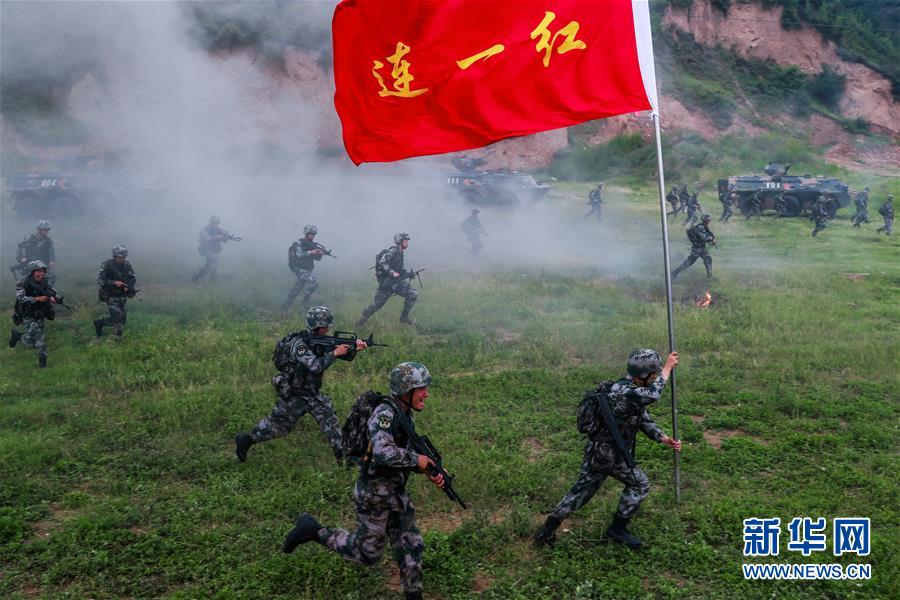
{"x": 609, "y": 446}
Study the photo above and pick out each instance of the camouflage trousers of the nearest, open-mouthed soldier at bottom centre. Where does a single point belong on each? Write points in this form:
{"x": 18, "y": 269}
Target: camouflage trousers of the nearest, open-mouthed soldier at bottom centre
{"x": 378, "y": 514}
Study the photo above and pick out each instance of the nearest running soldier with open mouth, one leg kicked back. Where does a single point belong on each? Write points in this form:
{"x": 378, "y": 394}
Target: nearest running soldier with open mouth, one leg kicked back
{"x": 383, "y": 507}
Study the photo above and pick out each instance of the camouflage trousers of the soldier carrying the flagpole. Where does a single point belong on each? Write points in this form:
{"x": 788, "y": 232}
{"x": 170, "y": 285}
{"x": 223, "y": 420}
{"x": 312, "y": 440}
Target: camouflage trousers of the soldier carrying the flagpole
{"x": 601, "y": 461}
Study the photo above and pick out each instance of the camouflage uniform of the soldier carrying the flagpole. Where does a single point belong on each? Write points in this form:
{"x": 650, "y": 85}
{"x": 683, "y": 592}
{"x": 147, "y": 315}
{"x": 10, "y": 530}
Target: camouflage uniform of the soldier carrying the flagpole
{"x": 602, "y": 459}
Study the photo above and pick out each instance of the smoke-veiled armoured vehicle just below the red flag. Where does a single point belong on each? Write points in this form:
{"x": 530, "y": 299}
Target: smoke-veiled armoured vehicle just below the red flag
{"x": 496, "y": 187}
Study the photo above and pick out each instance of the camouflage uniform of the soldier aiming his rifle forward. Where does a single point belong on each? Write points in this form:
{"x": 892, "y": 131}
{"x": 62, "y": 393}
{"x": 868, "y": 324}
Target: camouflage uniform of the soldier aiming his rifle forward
{"x": 299, "y": 393}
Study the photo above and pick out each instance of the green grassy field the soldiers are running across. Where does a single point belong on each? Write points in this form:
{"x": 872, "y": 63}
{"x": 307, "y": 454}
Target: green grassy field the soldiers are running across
{"x": 119, "y": 480}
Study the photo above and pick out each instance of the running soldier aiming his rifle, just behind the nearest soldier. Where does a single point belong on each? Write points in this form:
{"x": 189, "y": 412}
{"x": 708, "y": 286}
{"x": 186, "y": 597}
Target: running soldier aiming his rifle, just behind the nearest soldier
{"x": 302, "y": 363}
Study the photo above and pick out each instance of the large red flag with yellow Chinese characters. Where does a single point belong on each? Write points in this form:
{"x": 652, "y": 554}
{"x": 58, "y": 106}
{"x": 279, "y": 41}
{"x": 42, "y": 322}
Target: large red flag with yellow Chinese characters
{"x": 416, "y": 77}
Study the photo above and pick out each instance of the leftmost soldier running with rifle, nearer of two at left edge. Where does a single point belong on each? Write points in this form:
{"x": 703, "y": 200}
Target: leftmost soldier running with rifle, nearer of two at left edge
{"x": 35, "y": 299}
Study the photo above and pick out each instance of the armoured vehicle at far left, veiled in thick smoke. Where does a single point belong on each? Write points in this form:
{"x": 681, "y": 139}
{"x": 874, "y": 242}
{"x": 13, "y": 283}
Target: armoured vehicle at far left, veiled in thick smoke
{"x": 40, "y": 195}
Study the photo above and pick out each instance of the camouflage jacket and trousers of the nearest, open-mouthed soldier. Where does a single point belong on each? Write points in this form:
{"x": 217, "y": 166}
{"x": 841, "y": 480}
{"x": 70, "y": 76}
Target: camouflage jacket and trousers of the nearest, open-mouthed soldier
{"x": 382, "y": 504}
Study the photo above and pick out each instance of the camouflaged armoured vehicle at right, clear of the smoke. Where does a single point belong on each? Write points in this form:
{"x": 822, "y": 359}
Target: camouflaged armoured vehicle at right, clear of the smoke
{"x": 788, "y": 195}
